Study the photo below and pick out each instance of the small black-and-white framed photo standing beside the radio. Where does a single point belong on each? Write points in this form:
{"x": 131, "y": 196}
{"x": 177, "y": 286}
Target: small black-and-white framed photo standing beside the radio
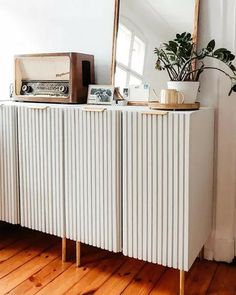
{"x": 100, "y": 94}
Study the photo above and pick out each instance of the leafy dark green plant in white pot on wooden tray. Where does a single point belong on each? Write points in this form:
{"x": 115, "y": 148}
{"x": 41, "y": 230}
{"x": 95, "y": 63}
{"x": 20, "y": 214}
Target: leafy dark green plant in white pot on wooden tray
{"x": 184, "y": 64}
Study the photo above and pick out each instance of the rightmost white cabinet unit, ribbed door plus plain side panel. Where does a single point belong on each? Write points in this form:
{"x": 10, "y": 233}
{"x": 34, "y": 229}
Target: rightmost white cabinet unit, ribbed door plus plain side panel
{"x": 167, "y": 185}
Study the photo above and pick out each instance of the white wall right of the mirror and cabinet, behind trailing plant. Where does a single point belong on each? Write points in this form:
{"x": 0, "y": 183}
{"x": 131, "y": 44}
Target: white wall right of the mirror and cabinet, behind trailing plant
{"x": 218, "y": 20}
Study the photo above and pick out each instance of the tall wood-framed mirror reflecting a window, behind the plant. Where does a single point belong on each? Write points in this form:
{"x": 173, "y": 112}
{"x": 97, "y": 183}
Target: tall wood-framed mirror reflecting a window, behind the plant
{"x": 140, "y": 26}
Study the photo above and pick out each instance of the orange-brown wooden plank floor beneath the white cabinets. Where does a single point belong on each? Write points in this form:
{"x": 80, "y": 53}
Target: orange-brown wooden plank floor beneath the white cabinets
{"x": 30, "y": 263}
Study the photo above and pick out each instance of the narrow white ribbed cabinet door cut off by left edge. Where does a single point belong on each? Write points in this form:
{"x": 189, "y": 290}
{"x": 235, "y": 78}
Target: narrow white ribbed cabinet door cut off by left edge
{"x": 9, "y": 184}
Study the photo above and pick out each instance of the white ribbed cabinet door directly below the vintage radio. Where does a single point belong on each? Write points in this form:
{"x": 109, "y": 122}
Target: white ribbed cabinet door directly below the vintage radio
{"x": 41, "y": 168}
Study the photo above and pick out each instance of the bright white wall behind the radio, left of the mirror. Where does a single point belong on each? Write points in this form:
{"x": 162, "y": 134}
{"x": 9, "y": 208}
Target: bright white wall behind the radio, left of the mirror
{"x": 33, "y": 26}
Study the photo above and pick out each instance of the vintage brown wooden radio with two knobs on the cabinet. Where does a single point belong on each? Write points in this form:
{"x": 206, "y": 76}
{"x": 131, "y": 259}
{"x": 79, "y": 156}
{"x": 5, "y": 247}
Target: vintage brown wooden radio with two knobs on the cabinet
{"x": 53, "y": 77}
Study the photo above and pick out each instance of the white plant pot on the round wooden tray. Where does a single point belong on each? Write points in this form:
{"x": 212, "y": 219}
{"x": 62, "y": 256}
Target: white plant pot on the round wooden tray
{"x": 188, "y": 88}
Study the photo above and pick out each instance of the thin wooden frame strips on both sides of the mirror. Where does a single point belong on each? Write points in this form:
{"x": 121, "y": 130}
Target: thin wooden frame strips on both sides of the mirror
{"x": 115, "y": 33}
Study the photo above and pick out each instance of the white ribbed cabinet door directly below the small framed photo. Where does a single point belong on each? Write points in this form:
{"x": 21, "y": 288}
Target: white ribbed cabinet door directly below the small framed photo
{"x": 92, "y": 176}
